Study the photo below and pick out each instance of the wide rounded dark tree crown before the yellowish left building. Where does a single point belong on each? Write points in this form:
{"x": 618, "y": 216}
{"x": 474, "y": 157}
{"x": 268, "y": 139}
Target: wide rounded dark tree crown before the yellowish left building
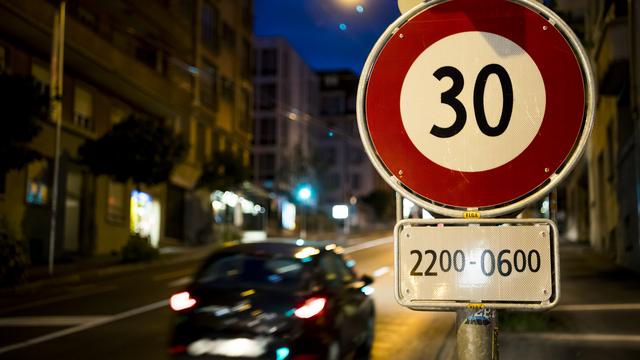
{"x": 138, "y": 149}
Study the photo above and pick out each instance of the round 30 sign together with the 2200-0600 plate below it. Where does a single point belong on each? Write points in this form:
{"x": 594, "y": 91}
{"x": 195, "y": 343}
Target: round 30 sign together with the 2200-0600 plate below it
{"x": 475, "y": 109}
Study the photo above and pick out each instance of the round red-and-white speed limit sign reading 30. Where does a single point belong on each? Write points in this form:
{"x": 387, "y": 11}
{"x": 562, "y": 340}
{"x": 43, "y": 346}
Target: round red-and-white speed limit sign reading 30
{"x": 469, "y": 105}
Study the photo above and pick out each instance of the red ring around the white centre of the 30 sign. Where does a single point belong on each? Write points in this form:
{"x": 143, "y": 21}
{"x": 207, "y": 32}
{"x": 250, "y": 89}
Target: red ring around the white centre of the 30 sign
{"x": 561, "y": 125}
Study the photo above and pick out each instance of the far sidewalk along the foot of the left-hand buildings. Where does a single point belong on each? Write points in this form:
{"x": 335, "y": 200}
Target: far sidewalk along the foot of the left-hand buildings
{"x": 97, "y": 267}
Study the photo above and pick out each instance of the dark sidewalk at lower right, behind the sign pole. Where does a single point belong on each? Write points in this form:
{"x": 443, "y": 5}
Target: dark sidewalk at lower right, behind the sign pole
{"x": 598, "y": 316}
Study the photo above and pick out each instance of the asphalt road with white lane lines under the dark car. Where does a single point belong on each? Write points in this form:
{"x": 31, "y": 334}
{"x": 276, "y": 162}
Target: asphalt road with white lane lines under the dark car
{"x": 126, "y": 316}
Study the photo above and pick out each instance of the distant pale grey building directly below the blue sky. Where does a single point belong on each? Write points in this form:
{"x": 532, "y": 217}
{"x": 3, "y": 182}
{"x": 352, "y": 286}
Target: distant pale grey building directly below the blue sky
{"x": 285, "y": 110}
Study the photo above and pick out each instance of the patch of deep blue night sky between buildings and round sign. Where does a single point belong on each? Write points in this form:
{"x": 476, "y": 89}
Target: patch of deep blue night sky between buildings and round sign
{"x": 328, "y": 34}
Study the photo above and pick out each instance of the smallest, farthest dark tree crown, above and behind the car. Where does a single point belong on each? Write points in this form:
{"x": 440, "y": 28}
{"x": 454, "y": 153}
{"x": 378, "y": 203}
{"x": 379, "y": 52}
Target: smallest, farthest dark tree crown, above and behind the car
{"x": 224, "y": 170}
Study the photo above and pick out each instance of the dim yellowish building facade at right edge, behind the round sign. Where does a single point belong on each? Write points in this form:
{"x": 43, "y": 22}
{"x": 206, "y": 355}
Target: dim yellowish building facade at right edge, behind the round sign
{"x": 603, "y": 197}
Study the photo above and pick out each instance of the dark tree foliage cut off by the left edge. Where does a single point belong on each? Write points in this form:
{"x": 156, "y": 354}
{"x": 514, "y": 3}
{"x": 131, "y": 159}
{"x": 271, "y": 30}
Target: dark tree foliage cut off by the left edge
{"x": 23, "y": 104}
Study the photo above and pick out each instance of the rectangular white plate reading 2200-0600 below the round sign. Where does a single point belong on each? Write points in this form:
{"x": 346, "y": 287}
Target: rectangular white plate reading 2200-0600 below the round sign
{"x": 505, "y": 263}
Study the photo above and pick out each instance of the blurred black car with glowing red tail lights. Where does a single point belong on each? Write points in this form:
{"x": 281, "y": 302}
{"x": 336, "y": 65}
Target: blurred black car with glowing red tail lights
{"x": 275, "y": 300}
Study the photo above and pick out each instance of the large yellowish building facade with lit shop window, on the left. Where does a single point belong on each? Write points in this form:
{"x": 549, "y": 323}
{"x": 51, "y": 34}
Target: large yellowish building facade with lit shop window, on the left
{"x": 186, "y": 64}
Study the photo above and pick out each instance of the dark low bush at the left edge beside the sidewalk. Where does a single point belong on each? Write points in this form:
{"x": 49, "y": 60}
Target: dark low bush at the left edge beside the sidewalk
{"x": 14, "y": 261}
